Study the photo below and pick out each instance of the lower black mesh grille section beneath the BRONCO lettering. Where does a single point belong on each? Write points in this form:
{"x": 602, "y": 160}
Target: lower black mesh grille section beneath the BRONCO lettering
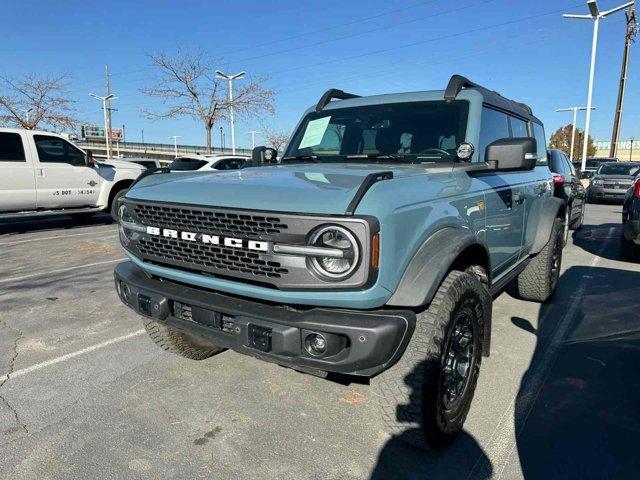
{"x": 207, "y": 256}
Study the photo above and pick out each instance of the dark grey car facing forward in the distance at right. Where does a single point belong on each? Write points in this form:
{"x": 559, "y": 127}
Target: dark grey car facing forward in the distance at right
{"x": 612, "y": 180}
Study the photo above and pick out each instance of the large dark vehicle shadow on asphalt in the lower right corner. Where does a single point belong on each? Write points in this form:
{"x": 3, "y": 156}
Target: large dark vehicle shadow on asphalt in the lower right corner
{"x": 580, "y": 419}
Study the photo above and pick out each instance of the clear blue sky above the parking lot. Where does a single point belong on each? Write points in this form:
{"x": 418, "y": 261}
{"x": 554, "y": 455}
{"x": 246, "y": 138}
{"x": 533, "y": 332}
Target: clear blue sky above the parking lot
{"x": 304, "y": 48}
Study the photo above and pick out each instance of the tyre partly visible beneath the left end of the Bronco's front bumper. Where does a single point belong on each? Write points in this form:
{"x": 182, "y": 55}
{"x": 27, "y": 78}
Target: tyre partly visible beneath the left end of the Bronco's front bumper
{"x": 180, "y": 343}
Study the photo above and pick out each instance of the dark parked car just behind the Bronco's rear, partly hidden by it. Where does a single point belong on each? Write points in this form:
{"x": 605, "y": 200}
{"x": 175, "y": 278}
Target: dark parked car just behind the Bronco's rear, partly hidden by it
{"x": 568, "y": 188}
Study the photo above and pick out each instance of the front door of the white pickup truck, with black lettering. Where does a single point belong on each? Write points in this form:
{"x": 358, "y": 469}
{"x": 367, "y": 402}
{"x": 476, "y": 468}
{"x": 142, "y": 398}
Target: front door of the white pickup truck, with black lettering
{"x": 62, "y": 178}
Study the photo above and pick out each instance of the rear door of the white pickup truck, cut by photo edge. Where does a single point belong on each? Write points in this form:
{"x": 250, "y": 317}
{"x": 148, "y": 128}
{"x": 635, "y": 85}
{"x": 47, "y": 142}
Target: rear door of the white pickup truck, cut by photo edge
{"x": 17, "y": 180}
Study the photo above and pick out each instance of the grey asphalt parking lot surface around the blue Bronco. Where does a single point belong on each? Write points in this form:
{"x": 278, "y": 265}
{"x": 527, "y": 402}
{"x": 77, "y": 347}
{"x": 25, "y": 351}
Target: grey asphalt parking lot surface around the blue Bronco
{"x": 85, "y": 394}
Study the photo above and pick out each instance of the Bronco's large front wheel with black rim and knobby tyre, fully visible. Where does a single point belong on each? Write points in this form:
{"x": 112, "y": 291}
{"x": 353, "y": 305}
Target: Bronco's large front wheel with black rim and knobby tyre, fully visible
{"x": 425, "y": 397}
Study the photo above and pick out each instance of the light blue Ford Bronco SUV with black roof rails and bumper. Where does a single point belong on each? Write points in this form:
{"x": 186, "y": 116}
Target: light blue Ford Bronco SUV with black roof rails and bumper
{"x": 372, "y": 248}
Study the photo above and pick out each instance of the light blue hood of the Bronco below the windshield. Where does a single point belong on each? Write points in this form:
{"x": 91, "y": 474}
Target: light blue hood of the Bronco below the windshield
{"x": 304, "y": 188}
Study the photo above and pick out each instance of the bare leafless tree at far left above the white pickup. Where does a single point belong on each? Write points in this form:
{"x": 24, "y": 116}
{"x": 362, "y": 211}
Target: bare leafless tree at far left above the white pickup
{"x": 34, "y": 101}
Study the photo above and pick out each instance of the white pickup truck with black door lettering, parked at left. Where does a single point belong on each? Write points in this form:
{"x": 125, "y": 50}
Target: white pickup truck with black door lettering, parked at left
{"x": 42, "y": 173}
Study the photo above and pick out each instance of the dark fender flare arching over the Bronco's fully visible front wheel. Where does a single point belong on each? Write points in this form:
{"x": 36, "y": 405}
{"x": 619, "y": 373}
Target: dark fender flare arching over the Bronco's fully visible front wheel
{"x": 430, "y": 264}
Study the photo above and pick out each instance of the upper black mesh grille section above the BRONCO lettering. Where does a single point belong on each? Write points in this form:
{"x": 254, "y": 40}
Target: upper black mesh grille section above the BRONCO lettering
{"x": 206, "y": 221}
